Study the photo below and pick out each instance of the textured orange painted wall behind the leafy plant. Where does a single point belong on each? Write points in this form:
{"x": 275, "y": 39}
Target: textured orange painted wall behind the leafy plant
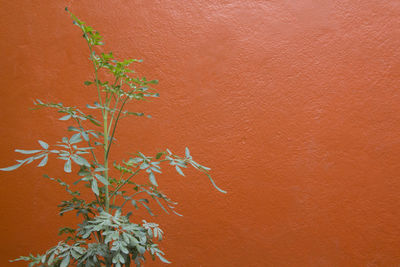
{"x": 294, "y": 104}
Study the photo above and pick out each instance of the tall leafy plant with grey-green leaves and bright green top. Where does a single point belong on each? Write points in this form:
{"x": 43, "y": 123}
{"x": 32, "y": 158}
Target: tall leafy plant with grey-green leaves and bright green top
{"x": 106, "y": 237}
